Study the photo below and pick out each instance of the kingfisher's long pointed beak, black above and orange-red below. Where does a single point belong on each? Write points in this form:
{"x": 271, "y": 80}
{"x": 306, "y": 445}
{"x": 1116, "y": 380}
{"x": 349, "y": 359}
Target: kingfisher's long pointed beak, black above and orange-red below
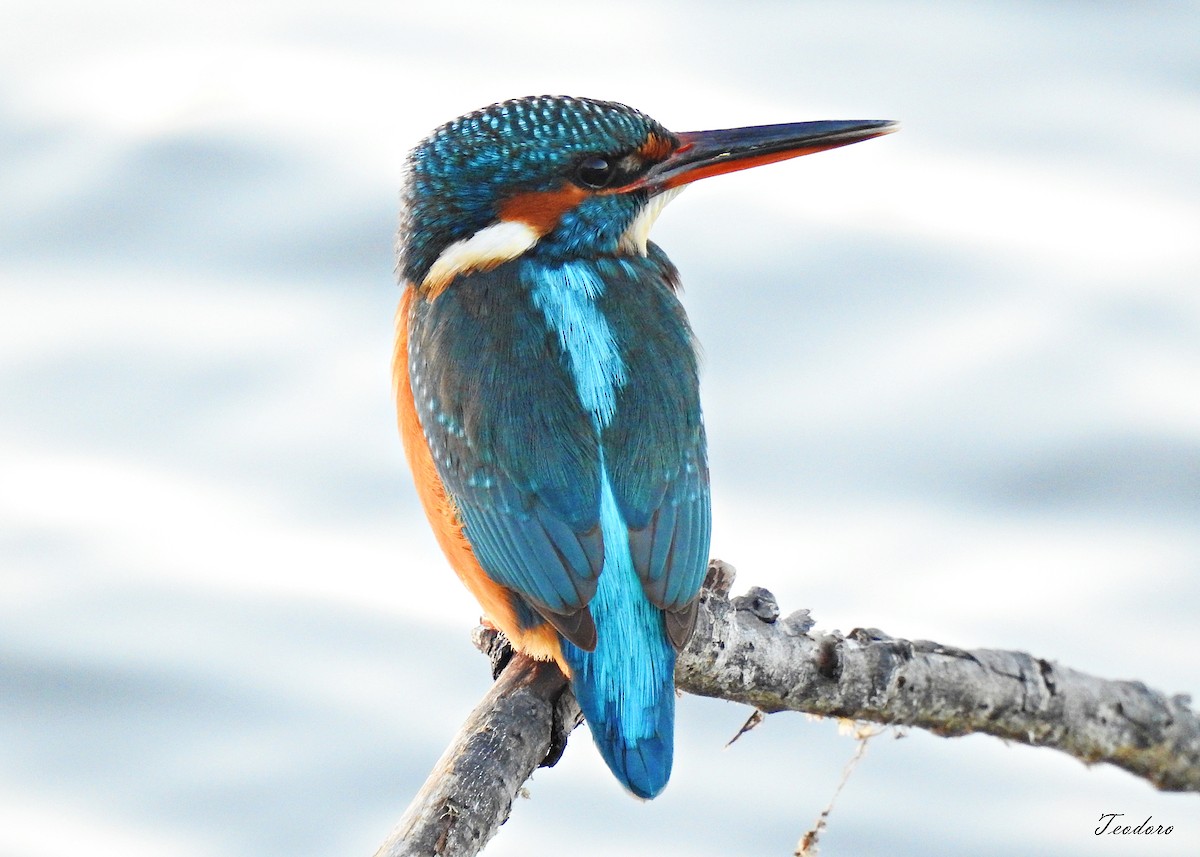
{"x": 712, "y": 153}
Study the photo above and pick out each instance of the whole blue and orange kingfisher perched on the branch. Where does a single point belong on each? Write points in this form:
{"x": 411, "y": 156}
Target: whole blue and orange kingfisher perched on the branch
{"x": 548, "y": 389}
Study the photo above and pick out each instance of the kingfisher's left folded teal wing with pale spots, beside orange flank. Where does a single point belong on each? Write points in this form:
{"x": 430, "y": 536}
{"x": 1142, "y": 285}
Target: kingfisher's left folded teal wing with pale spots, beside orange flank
{"x": 512, "y": 446}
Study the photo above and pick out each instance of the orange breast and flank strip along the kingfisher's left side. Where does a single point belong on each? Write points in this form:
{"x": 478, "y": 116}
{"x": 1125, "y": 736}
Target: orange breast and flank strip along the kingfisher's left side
{"x": 539, "y": 643}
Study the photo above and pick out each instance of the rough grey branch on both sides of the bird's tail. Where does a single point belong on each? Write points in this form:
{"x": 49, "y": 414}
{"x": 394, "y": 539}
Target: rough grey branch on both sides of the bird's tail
{"x": 746, "y": 652}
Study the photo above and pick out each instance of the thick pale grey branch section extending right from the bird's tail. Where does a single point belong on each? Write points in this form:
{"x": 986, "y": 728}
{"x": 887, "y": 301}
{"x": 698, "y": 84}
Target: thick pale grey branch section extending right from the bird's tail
{"x": 743, "y": 652}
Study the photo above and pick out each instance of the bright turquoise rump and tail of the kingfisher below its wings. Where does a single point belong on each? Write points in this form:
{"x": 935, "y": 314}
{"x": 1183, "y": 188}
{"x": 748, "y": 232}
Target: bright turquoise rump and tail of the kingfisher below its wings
{"x": 627, "y": 686}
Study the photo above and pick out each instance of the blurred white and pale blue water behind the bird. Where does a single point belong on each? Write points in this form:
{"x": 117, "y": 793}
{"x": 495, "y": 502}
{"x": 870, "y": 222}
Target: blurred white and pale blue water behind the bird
{"x": 951, "y": 385}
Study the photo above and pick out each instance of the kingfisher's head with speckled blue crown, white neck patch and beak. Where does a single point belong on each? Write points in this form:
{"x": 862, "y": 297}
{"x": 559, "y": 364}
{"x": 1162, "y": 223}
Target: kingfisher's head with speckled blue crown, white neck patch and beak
{"x": 567, "y": 178}
